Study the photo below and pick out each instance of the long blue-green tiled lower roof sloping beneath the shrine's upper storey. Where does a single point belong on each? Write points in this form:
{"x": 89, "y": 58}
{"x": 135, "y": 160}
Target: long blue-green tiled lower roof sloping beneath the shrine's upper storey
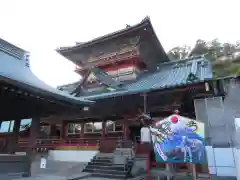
{"x": 167, "y": 75}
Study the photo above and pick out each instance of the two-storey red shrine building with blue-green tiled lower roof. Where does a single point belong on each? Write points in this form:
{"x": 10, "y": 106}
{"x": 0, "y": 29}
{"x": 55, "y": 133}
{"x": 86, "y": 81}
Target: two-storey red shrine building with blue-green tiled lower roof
{"x": 125, "y": 74}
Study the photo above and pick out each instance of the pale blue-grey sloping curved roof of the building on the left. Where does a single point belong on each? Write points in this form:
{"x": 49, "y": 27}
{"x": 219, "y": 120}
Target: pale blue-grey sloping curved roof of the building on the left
{"x": 14, "y": 70}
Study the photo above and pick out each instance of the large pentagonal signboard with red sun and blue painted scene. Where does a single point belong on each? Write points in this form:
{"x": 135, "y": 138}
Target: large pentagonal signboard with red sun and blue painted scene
{"x": 178, "y": 139}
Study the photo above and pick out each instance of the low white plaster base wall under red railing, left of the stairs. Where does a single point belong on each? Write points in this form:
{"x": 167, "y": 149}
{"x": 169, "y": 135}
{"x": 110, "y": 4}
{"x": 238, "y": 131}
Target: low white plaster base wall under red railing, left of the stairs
{"x": 73, "y": 156}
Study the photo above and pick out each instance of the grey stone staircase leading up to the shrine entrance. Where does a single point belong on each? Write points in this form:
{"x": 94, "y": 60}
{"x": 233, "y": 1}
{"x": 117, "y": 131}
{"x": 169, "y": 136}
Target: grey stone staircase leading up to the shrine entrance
{"x": 117, "y": 165}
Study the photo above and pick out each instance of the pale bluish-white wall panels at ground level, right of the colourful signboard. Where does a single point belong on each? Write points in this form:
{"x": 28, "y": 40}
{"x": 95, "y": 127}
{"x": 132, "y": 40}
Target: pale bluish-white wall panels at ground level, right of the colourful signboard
{"x": 221, "y": 161}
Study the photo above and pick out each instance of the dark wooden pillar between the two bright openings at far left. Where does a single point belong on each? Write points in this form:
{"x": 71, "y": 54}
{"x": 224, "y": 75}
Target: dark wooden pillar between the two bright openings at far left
{"x": 13, "y": 143}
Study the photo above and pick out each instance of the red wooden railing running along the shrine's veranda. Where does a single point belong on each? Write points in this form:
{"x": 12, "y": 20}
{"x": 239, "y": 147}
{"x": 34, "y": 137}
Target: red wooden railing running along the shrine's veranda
{"x": 106, "y": 145}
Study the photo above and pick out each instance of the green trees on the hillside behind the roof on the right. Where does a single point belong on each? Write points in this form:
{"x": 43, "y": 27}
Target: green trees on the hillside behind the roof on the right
{"x": 224, "y": 56}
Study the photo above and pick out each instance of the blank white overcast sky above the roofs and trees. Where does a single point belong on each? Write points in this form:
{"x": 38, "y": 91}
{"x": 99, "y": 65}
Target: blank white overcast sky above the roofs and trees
{"x": 40, "y": 26}
